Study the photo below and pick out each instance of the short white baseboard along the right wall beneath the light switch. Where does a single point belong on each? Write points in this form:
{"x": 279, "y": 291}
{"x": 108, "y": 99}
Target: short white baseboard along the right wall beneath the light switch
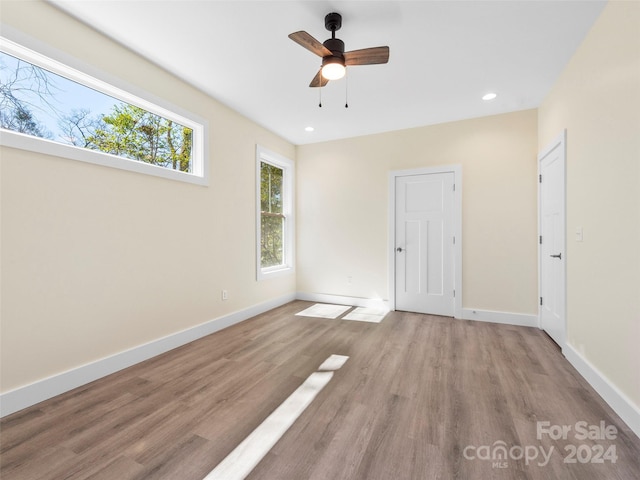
{"x": 618, "y": 401}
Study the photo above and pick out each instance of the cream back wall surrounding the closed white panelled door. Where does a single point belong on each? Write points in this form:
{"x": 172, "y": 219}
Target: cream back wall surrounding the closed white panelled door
{"x": 342, "y": 208}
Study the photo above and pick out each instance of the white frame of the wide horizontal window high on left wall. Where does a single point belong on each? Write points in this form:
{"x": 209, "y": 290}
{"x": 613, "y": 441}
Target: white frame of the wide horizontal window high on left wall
{"x": 72, "y": 69}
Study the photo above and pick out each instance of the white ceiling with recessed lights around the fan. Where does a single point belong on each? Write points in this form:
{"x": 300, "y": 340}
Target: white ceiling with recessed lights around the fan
{"x": 445, "y": 55}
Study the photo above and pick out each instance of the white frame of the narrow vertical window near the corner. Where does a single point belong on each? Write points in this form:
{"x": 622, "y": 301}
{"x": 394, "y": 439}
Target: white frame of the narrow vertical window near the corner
{"x": 264, "y": 155}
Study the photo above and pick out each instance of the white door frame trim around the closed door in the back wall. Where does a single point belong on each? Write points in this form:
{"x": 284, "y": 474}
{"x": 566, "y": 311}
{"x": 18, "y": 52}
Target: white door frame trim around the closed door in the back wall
{"x": 457, "y": 230}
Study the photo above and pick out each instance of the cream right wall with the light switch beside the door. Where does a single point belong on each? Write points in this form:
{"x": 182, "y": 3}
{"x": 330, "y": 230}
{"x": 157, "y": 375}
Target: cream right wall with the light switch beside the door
{"x": 597, "y": 99}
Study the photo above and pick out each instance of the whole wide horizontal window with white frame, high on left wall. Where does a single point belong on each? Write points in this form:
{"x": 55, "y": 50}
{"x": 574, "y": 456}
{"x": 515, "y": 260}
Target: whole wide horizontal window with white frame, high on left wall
{"x": 43, "y": 102}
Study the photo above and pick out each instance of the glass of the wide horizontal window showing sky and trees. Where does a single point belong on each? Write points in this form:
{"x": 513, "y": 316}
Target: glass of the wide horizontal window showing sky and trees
{"x": 40, "y": 103}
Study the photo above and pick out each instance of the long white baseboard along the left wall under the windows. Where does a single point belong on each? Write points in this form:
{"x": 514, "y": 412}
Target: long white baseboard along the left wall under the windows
{"x": 41, "y": 390}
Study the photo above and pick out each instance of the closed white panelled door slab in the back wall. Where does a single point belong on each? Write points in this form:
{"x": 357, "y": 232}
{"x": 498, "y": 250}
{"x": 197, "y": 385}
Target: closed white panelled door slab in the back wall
{"x": 424, "y": 241}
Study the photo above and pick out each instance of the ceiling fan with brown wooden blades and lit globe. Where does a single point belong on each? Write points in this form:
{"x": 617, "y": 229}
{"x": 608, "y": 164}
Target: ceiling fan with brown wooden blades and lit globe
{"x": 334, "y": 58}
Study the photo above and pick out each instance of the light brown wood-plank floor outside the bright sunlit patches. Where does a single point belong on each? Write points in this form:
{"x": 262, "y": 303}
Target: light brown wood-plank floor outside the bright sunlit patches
{"x": 418, "y": 398}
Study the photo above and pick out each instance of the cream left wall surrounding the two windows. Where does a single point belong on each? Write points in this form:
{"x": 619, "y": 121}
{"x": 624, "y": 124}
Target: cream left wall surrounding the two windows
{"x": 97, "y": 260}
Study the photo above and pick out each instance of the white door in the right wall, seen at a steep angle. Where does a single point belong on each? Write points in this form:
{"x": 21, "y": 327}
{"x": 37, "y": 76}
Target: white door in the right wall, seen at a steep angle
{"x": 552, "y": 241}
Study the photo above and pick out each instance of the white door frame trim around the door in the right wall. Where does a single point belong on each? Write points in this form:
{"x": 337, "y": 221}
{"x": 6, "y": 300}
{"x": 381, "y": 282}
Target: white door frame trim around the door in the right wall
{"x": 560, "y": 142}
